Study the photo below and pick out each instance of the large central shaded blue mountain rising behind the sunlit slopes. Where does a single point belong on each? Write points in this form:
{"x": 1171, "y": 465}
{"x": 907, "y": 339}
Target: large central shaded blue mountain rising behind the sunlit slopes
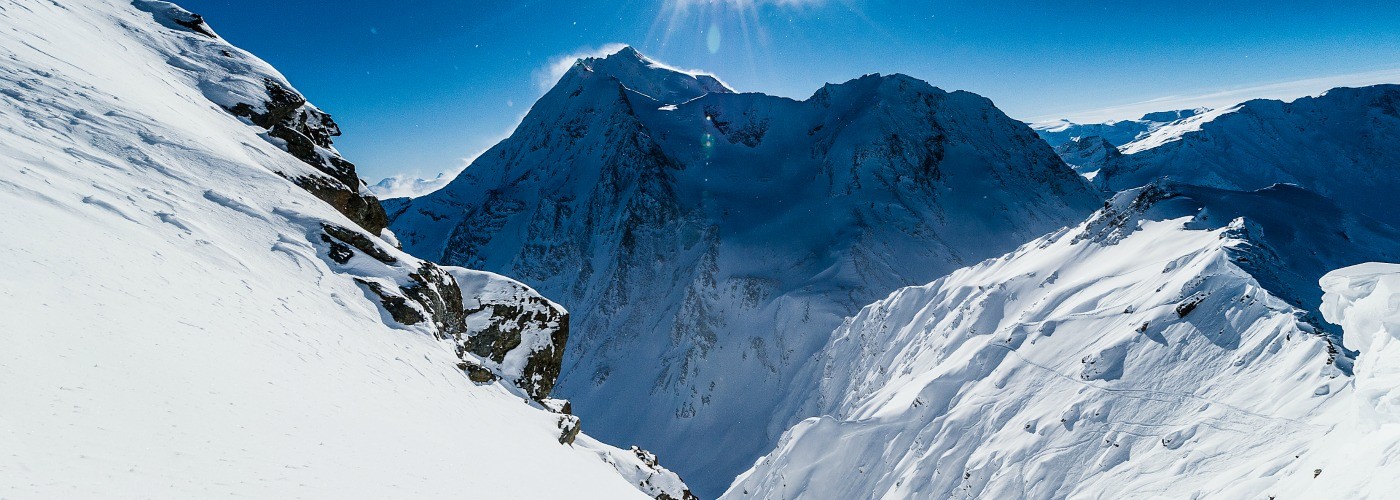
{"x": 708, "y": 243}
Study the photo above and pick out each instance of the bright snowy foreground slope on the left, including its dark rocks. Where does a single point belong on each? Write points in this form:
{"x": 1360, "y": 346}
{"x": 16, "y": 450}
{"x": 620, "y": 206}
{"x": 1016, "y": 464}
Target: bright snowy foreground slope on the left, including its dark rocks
{"x": 199, "y": 299}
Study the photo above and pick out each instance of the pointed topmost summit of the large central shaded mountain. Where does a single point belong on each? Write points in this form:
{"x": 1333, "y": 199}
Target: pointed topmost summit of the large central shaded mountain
{"x": 653, "y": 79}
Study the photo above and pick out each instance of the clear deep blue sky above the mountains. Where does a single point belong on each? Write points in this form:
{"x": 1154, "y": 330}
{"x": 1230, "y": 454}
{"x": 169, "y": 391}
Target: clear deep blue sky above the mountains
{"x": 421, "y": 85}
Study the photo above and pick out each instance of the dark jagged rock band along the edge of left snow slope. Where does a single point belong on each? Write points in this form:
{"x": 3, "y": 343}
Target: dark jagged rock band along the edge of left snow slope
{"x": 500, "y": 328}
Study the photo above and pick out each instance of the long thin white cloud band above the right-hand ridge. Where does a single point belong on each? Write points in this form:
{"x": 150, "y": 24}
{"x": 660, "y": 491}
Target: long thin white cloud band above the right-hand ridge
{"x": 1282, "y": 90}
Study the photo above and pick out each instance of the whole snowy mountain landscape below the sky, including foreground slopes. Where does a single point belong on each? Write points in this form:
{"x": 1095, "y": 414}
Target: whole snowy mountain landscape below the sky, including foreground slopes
{"x": 884, "y": 291}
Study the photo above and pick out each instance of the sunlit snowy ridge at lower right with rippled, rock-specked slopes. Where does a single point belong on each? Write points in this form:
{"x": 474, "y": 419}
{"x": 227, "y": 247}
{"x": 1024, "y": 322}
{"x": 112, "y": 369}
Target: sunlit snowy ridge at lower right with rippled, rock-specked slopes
{"x": 1137, "y": 355}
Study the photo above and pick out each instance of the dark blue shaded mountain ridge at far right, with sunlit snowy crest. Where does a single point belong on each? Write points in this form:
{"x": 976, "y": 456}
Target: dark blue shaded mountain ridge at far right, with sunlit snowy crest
{"x": 1340, "y": 146}
